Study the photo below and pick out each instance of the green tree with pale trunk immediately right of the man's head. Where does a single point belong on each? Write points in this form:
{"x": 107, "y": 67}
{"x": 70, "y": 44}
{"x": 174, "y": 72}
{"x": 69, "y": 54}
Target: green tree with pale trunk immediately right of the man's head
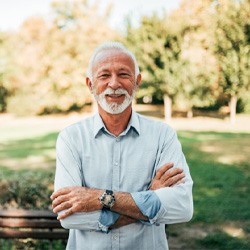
{"x": 159, "y": 53}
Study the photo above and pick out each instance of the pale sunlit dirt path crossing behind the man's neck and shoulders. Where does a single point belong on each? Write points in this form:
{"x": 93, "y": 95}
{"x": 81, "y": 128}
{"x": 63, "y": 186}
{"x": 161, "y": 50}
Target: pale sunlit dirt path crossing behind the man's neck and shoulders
{"x": 58, "y": 122}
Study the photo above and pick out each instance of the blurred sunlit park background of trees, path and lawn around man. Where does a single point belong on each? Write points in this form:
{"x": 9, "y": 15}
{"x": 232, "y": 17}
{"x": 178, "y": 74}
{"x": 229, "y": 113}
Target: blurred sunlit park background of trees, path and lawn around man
{"x": 194, "y": 57}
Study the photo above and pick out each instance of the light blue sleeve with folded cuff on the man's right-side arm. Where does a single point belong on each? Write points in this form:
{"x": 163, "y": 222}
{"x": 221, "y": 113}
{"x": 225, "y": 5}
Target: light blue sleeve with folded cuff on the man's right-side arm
{"x": 173, "y": 204}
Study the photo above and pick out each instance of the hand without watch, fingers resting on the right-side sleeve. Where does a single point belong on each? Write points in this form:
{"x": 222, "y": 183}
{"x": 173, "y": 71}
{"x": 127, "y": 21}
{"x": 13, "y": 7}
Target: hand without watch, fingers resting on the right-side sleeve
{"x": 167, "y": 178}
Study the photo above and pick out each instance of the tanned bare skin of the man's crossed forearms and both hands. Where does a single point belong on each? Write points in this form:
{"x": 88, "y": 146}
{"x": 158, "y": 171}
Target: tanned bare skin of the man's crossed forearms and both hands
{"x": 81, "y": 199}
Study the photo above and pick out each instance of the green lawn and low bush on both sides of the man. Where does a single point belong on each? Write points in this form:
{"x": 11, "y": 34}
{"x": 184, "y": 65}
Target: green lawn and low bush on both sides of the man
{"x": 219, "y": 163}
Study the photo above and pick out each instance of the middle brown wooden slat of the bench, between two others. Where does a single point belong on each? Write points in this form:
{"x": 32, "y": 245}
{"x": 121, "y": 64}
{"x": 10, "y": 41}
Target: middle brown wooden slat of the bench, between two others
{"x": 10, "y": 223}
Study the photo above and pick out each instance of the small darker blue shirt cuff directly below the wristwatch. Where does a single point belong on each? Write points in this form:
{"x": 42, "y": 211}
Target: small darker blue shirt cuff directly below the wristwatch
{"x": 107, "y": 219}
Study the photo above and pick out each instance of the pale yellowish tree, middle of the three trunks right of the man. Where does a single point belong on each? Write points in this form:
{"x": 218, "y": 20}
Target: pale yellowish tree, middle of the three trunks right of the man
{"x": 199, "y": 87}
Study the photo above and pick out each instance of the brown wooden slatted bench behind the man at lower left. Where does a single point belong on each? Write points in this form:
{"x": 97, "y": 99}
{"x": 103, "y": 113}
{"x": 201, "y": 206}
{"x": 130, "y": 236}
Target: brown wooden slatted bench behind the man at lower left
{"x": 34, "y": 224}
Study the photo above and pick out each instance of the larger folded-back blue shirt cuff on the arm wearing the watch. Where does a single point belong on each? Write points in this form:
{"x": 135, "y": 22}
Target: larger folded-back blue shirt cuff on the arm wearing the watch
{"x": 148, "y": 203}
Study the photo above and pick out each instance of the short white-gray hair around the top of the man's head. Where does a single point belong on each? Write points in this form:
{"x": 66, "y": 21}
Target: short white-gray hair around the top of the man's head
{"x": 111, "y": 46}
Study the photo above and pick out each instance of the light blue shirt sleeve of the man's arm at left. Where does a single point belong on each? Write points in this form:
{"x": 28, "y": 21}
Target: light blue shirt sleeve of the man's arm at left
{"x": 69, "y": 174}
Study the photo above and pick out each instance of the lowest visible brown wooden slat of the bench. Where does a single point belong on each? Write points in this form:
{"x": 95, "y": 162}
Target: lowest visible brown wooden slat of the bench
{"x": 15, "y": 234}
